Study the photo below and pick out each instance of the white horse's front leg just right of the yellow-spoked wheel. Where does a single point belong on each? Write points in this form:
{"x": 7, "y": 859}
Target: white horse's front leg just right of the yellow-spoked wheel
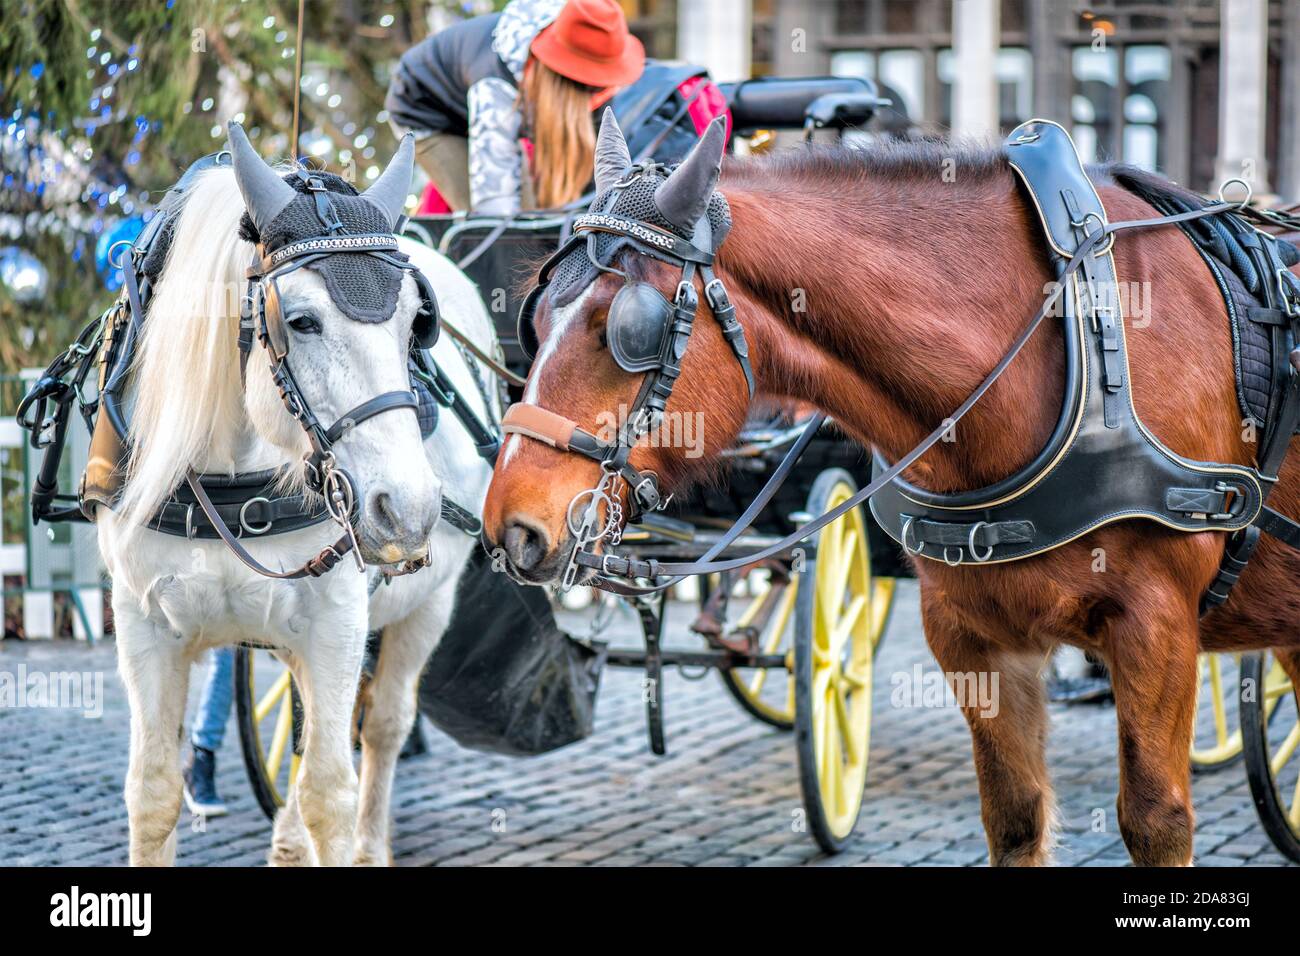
{"x": 327, "y": 781}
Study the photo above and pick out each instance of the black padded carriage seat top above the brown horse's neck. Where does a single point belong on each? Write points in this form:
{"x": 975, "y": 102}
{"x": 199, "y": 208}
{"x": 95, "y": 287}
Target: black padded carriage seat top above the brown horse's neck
{"x": 788, "y": 102}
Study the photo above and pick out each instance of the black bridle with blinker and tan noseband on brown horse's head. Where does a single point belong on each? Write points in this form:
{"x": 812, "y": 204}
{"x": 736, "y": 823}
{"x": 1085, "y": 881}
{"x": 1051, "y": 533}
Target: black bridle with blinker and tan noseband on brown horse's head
{"x": 647, "y": 335}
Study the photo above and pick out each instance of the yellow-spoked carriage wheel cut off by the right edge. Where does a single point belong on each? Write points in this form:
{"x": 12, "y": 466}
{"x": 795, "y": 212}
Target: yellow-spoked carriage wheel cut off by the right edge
{"x": 1271, "y": 733}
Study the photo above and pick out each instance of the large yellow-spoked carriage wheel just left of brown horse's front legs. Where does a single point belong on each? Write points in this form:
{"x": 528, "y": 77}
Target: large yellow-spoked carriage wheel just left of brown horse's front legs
{"x": 840, "y": 616}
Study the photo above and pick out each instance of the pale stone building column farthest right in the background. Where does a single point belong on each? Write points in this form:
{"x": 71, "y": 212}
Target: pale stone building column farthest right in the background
{"x": 1243, "y": 93}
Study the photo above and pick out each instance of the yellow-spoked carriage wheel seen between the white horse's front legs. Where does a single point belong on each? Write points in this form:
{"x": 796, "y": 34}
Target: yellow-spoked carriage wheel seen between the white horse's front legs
{"x": 270, "y": 713}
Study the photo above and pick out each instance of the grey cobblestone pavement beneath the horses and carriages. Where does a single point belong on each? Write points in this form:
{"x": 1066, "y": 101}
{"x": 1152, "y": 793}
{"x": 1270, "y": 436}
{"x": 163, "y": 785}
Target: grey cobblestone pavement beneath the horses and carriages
{"x": 727, "y": 794}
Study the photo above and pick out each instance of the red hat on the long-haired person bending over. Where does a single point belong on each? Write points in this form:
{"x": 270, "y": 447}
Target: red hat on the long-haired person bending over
{"x": 590, "y": 44}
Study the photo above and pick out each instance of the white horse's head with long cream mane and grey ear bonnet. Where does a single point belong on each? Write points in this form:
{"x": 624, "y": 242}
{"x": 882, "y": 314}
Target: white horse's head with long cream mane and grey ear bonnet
{"x": 348, "y": 326}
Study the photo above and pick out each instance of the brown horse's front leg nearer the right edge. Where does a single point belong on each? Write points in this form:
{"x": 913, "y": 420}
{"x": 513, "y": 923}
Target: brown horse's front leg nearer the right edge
{"x": 1152, "y": 663}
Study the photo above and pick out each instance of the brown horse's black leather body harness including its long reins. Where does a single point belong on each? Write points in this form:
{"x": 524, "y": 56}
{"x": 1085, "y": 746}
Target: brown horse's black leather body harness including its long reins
{"x": 1100, "y": 464}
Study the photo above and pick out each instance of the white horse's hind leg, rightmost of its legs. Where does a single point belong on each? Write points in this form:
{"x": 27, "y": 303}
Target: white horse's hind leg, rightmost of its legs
{"x": 391, "y": 713}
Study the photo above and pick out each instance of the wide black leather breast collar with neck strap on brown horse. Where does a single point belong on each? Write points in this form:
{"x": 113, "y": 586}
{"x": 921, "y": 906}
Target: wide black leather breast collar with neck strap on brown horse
{"x": 1102, "y": 464}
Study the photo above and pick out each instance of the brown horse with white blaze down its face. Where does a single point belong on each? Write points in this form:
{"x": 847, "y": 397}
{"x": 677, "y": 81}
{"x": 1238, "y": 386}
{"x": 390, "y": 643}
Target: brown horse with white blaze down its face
{"x": 883, "y": 292}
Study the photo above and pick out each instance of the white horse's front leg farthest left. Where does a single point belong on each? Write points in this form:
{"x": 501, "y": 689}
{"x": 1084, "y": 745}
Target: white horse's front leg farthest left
{"x": 155, "y": 667}
